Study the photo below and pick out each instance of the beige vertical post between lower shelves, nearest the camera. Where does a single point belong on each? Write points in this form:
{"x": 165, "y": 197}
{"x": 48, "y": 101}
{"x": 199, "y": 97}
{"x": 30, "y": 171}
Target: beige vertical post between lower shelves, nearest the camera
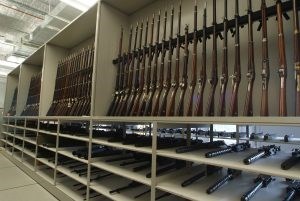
{"x": 153, "y": 166}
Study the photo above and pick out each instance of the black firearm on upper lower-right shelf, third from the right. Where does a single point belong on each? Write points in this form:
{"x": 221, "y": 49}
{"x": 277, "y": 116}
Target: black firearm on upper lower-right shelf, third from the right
{"x": 234, "y": 148}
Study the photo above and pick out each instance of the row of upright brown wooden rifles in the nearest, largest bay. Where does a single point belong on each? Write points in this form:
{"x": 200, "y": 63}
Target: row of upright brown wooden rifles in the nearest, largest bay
{"x": 154, "y": 94}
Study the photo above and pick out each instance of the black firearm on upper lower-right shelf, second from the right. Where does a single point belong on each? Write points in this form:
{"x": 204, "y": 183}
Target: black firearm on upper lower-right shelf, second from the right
{"x": 264, "y": 151}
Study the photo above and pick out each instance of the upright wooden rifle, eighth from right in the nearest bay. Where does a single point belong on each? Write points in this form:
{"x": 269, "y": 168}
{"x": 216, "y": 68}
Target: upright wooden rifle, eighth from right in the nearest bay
{"x": 202, "y": 79}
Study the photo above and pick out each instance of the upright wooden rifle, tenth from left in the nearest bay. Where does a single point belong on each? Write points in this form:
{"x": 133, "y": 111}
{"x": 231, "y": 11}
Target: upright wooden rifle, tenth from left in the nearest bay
{"x": 175, "y": 83}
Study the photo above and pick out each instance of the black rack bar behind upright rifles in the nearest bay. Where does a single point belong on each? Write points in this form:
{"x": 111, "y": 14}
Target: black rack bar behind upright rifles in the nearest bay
{"x": 243, "y": 20}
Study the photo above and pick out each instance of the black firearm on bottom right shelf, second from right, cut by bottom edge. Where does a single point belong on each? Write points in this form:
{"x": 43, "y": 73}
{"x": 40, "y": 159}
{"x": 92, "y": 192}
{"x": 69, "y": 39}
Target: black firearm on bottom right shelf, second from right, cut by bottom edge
{"x": 260, "y": 182}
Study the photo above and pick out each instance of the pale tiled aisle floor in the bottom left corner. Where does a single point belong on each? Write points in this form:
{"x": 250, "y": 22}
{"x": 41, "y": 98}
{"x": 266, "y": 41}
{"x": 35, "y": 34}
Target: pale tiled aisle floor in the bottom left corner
{"x": 15, "y": 185}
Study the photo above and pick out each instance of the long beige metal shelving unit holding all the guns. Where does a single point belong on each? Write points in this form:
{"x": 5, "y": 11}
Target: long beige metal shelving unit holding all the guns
{"x": 101, "y": 26}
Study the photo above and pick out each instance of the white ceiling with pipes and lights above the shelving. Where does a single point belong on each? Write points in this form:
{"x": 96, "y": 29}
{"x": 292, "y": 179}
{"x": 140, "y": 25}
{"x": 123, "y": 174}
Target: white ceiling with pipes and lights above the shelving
{"x": 26, "y": 24}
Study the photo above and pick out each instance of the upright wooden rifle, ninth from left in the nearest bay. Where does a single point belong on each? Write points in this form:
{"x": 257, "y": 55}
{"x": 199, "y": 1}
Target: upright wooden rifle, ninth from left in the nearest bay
{"x": 167, "y": 82}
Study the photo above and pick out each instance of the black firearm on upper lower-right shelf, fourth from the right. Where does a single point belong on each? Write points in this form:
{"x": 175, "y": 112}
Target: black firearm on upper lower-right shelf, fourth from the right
{"x": 208, "y": 145}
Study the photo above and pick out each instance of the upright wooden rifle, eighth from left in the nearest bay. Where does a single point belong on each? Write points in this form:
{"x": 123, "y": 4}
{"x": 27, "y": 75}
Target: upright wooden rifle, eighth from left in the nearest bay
{"x": 159, "y": 86}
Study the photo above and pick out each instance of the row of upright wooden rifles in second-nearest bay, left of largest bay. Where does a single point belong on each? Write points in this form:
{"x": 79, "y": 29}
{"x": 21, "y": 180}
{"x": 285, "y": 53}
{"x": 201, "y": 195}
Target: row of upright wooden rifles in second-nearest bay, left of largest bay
{"x": 72, "y": 95}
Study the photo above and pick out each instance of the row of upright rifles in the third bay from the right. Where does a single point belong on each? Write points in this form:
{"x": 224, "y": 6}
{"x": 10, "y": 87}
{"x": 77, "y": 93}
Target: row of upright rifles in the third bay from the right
{"x": 33, "y": 98}
